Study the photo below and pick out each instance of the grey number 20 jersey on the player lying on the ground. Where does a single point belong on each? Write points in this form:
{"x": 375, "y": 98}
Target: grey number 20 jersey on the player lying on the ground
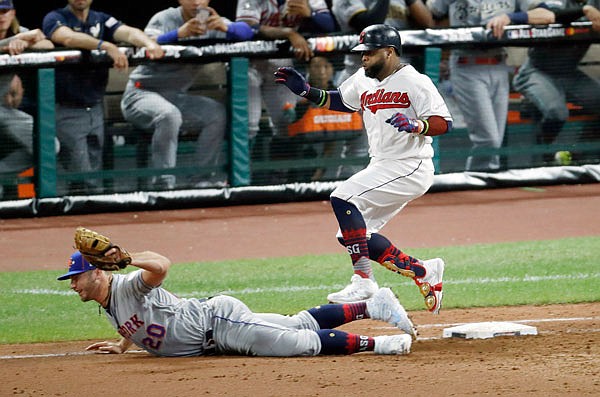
{"x": 155, "y": 319}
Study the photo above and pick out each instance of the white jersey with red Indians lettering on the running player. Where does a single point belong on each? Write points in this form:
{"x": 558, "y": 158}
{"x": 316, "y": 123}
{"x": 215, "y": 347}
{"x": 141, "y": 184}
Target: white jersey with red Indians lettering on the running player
{"x": 406, "y": 91}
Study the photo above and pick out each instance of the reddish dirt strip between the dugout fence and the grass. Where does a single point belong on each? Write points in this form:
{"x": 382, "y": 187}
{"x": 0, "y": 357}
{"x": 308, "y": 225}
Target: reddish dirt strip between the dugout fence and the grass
{"x": 456, "y": 218}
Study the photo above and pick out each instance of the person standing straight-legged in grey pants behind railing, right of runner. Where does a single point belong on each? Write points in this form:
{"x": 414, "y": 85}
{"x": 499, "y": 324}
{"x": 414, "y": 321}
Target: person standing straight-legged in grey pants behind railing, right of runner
{"x": 480, "y": 77}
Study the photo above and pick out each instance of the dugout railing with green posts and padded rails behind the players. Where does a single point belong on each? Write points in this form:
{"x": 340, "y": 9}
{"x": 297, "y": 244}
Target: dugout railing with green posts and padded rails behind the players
{"x": 250, "y": 167}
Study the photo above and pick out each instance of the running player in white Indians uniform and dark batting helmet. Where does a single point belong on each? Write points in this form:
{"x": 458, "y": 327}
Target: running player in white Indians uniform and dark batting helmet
{"x": 401, "y": 110}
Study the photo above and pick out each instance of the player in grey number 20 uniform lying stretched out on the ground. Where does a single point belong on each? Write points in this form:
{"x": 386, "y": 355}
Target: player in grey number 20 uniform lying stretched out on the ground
{"x": 159, "y": 322}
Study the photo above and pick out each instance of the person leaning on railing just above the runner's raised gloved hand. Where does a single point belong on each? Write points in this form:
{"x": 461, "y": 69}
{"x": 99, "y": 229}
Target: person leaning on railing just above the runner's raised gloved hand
{"x": 271, "y": 20}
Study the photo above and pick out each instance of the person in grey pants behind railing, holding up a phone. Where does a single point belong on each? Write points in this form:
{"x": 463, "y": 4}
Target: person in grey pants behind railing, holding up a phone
{"x": 157, "y": 97}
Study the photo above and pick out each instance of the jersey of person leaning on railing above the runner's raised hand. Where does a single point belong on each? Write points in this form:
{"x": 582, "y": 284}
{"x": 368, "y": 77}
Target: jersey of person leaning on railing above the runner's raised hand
{"x": 272, "y": 12}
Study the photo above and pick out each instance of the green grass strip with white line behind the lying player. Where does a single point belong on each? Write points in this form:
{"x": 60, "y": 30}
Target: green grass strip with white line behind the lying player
{"x": 37, "y": 308}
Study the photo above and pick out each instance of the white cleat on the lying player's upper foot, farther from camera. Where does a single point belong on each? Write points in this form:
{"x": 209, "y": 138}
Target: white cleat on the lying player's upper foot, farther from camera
{"x": 384, "y": 306}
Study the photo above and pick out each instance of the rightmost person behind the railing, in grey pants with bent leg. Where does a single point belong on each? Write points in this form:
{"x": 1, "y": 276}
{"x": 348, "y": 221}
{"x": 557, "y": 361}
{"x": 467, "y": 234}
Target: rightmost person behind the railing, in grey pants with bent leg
{"x": 551, "y": 76}
